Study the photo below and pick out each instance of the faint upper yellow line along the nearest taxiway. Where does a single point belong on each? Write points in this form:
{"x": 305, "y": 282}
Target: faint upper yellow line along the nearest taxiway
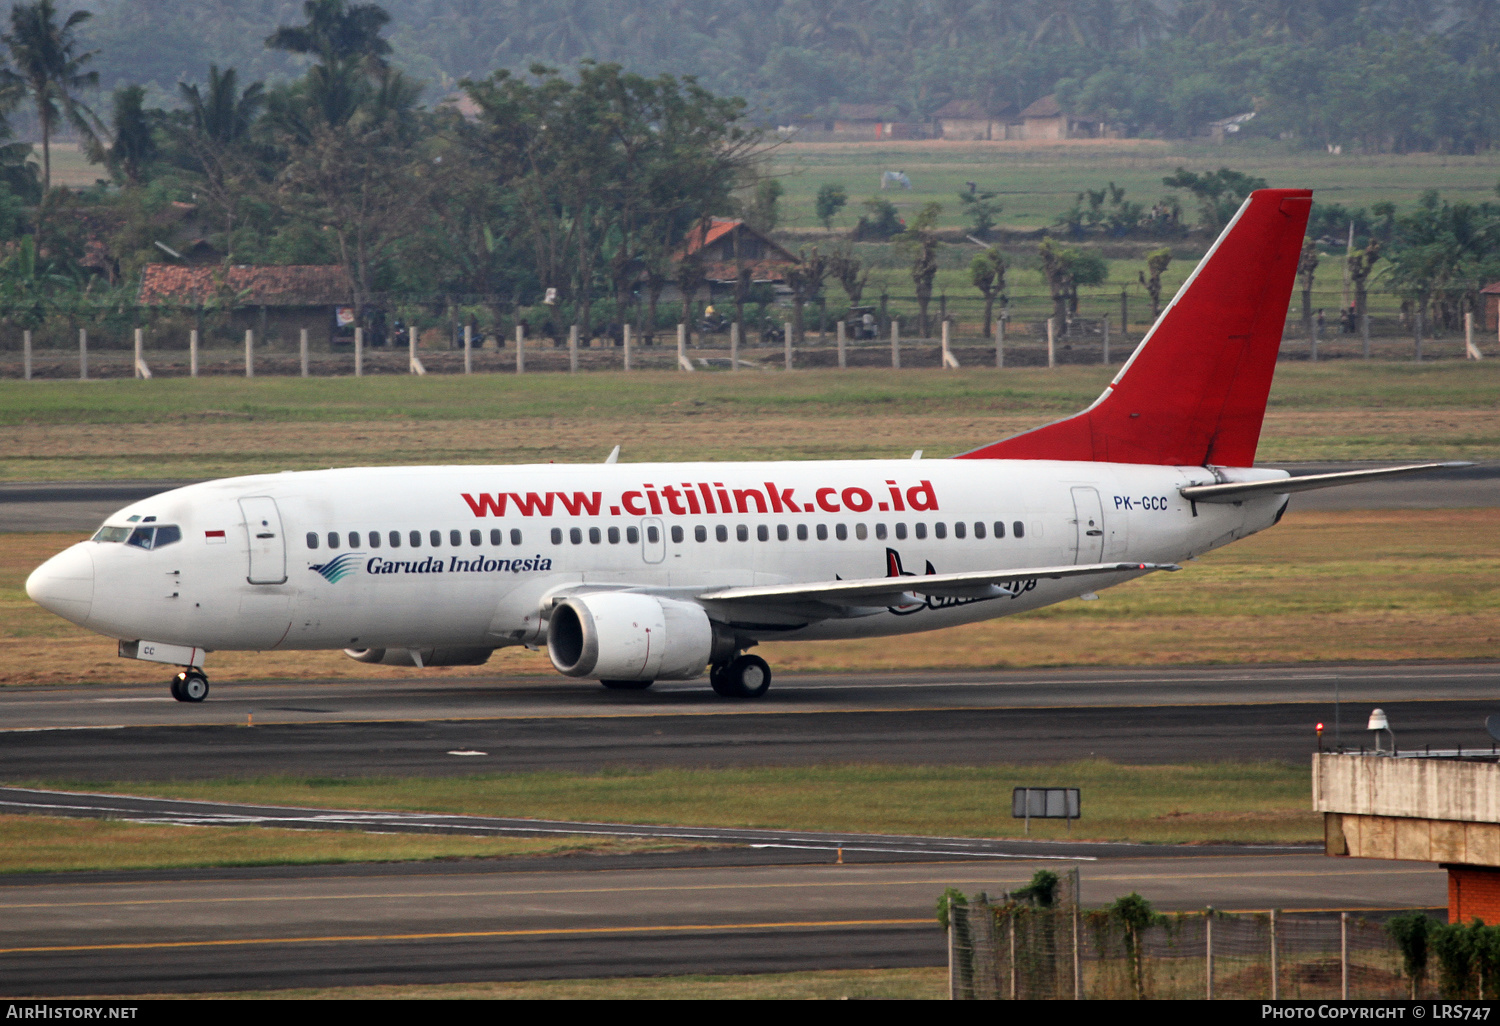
{"x": 937, "y": 881}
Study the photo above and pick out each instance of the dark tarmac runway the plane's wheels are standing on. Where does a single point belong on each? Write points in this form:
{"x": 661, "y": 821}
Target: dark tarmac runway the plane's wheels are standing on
{"x": 421, "y": 727}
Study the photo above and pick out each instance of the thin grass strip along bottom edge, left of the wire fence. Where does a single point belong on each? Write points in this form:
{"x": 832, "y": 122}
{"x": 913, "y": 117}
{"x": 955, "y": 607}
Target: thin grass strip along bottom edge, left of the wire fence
{"x": 842, "y": 985}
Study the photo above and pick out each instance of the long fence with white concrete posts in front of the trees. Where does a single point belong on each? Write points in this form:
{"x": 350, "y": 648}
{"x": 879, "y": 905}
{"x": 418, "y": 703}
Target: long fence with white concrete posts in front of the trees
{"x": 454, "y": 337}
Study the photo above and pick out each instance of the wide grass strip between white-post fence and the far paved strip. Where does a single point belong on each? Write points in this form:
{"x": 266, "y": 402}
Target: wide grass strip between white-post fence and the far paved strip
{"x": 178, "y": 428}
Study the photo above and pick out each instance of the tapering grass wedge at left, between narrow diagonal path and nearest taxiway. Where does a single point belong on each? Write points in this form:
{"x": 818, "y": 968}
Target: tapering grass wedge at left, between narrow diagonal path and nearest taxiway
{"x": 47, "y": 845}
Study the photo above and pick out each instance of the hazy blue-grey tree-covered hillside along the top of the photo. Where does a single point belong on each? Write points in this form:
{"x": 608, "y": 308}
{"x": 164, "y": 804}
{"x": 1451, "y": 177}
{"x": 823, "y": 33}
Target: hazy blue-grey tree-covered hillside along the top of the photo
{"x": 1366, "y": 74}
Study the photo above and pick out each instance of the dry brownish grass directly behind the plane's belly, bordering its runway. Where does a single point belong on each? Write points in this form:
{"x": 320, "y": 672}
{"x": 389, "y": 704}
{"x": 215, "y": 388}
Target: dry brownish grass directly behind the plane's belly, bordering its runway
{"x": 1322, "y": 586}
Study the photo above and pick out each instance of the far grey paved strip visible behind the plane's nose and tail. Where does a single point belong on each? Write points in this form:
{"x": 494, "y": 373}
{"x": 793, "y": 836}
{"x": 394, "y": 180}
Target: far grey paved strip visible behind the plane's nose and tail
{"x": 83, "y": 506}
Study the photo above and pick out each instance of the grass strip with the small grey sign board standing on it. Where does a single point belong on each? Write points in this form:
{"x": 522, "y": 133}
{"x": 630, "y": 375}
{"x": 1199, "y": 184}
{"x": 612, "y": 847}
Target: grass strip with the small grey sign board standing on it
{"x": 1232, "y": 802}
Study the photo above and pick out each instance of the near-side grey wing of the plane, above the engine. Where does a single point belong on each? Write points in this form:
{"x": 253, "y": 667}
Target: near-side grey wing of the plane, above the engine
{"x": 910, "y": 589}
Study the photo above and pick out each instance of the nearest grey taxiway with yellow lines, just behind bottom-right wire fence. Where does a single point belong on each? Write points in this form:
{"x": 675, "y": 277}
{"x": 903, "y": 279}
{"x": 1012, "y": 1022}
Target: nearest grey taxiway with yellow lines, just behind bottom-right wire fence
{"x": 581, "y": 917}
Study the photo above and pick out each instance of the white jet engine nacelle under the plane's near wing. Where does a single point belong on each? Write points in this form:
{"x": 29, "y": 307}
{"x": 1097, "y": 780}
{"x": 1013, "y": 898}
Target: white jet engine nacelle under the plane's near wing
{"x": 626, "y": 637}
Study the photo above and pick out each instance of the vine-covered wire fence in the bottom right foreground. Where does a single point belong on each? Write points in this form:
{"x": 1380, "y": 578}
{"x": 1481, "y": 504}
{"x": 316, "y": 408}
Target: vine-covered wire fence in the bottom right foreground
{"x": 1024, "y": 953}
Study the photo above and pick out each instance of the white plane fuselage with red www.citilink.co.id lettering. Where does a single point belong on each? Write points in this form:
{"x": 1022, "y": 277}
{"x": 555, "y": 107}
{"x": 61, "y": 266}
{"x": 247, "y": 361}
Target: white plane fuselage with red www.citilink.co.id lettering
{"x": 467, "y": 556}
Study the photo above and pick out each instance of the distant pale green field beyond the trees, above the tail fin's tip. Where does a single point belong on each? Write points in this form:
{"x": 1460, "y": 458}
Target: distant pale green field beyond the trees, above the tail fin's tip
{"x": 1040, "y": 181}
